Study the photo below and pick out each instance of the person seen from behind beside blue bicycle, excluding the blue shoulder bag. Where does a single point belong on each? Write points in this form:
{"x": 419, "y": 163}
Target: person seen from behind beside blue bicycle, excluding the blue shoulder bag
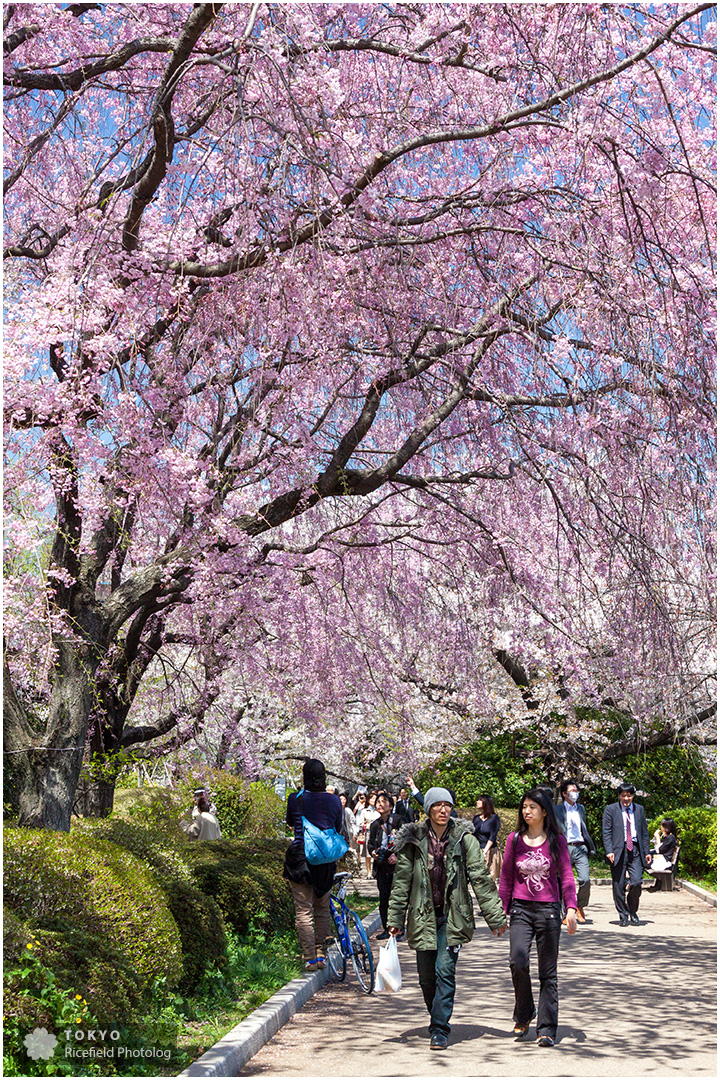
{"x": 311, "y": 885}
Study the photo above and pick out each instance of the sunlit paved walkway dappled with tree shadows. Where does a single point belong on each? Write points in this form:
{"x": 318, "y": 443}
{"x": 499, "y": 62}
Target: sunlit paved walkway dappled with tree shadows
{"x": 635, "y": 1002}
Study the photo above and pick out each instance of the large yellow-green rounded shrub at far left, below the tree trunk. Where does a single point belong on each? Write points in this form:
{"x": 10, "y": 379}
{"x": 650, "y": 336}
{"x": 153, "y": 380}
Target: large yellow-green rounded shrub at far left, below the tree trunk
{"x": 97, "y": 887}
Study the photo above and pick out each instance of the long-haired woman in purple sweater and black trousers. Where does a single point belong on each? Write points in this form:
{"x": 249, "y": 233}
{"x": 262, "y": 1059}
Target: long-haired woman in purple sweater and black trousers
{"x": 536, "y": 879}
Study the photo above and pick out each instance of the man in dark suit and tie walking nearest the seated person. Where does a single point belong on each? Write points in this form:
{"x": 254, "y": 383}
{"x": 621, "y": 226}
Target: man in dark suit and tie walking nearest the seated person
{"x": 628, "y": 849}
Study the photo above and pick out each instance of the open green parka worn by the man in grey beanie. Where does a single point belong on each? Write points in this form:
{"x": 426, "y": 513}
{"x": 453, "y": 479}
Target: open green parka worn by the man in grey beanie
{"x": 413, "y": 894}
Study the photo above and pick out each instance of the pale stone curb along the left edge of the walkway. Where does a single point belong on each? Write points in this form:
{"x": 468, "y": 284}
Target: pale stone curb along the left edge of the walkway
{"x": 236, "y": 1049}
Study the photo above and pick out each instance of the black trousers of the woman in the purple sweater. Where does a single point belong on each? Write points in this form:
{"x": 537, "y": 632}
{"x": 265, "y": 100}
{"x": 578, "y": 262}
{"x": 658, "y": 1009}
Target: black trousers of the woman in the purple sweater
{"x": 541, "y": 921}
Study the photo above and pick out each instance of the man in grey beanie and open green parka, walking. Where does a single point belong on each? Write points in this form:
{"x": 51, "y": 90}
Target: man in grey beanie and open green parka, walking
{"x": 438, "y": 859}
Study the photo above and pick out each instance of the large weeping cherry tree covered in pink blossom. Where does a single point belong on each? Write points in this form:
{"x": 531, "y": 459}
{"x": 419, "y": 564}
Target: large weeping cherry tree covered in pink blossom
{"x": 419, "y": 291}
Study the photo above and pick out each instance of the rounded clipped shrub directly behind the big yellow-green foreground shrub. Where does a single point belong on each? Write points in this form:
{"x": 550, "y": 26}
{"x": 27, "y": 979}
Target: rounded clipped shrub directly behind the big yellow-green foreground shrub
{"x": 165, "y": 849}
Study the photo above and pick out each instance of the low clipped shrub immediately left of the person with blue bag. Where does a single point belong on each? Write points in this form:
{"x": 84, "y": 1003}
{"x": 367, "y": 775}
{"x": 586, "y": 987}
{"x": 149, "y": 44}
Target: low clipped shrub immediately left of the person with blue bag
{"x": 246, "y": 877}
